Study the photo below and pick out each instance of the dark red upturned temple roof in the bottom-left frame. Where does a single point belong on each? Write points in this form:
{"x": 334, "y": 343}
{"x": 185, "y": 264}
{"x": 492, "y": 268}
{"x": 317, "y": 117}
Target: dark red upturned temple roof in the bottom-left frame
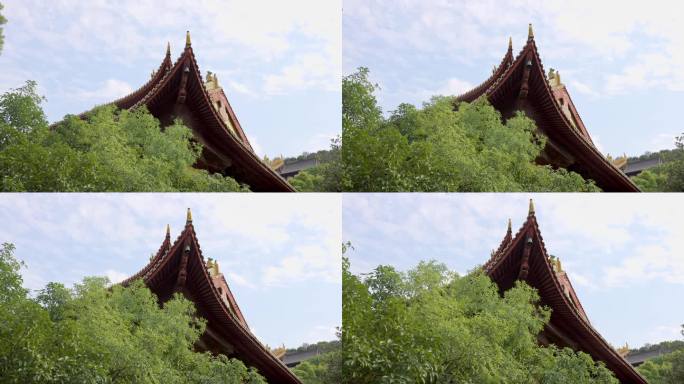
{"x": 179, "y": 266}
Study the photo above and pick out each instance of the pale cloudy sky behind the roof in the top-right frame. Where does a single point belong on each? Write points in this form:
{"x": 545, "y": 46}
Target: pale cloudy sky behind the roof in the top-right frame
{"x": 622, "y": 61}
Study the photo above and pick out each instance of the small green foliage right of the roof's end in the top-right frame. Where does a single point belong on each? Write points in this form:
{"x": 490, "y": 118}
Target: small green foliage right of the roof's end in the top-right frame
{"x": 667, "y": 177}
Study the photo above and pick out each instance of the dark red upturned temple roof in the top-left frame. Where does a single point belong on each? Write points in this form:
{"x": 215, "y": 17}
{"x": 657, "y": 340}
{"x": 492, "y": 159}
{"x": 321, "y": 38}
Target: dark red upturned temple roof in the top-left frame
{"x": 177, "y": 90}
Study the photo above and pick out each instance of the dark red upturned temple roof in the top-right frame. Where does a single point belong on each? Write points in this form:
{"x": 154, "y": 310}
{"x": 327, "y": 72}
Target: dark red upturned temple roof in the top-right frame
{"x": 522, "y": 81}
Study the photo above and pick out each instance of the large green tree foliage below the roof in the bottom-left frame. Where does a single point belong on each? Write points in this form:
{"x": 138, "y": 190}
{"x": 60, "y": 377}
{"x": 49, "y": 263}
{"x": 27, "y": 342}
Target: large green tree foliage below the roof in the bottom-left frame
{"x": 99, "y": 334}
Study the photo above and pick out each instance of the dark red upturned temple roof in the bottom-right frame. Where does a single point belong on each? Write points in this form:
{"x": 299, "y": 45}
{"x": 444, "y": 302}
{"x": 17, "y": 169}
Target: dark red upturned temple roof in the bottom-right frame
{"x": 524, "y": 257}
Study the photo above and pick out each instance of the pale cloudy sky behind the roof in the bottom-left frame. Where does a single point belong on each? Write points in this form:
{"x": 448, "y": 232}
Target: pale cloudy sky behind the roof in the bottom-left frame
{"x": 279, "y": 254}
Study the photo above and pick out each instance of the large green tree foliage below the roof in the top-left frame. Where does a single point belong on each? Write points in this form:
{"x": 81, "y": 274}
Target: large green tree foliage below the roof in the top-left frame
{"x": 108, "y": 150}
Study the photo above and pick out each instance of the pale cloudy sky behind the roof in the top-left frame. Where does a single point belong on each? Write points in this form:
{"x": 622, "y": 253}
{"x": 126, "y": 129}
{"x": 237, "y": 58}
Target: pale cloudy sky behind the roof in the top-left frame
{"x": 278, "y": 62}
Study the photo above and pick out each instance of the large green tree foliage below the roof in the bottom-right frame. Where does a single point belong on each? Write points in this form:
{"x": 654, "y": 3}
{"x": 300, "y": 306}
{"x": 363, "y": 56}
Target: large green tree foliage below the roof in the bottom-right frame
{"x": 430, "y": 325}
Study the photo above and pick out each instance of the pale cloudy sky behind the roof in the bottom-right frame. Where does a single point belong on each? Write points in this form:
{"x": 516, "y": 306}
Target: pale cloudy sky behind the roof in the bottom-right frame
{"x": 623, "y": 253}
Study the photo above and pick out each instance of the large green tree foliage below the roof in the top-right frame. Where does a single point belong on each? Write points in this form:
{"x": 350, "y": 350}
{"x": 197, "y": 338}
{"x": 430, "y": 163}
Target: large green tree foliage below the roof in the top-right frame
{"x": 437, "y": 148}
